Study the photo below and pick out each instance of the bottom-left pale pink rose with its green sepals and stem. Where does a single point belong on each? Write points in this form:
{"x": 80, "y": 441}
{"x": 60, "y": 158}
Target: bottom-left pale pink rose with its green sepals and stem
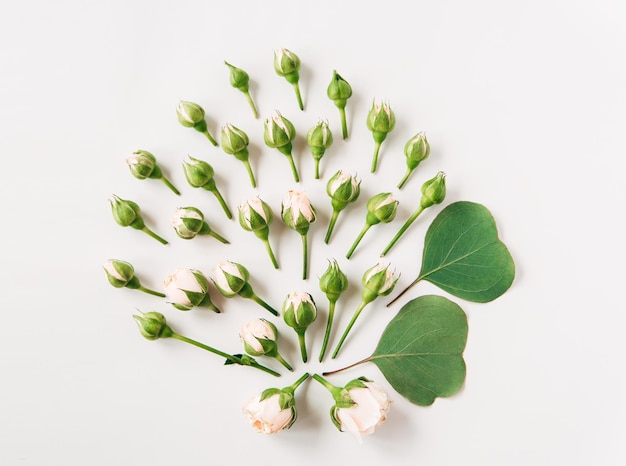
{"x": 274, "y": 409}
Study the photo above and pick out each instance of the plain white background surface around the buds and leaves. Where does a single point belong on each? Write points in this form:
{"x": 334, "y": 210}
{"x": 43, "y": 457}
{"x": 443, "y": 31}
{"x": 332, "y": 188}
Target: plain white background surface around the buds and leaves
{"x": 524, "y": 106}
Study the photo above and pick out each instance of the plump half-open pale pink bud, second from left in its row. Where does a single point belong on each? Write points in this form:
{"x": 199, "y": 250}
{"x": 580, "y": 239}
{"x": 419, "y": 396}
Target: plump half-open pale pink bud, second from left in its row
{"x": 187, "y": 288}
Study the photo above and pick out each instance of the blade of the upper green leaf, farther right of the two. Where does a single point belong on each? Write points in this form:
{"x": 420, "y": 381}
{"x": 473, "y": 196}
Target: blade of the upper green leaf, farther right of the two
{"x": 464, "y": 256}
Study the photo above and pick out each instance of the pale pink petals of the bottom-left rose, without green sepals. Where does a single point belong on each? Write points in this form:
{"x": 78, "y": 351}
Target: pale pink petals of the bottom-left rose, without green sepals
{"x": 266, "y": 415}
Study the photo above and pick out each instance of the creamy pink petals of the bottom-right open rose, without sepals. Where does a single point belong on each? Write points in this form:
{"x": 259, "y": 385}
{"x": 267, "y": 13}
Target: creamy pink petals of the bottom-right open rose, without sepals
{"x": 370, "y": 408}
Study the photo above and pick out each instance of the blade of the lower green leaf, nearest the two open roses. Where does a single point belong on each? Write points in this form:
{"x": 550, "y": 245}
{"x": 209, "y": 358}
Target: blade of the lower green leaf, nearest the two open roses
{"x": 420, "y": 352}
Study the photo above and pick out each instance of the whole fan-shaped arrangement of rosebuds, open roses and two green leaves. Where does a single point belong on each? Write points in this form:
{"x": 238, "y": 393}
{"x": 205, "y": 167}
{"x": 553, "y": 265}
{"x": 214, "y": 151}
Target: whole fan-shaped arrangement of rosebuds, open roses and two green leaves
{"x": 420, "y": 352}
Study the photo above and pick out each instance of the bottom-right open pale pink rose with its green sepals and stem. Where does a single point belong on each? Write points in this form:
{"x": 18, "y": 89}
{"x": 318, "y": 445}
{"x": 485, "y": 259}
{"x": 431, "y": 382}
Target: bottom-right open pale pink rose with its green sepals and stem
{"x": 360, "y": 407}
